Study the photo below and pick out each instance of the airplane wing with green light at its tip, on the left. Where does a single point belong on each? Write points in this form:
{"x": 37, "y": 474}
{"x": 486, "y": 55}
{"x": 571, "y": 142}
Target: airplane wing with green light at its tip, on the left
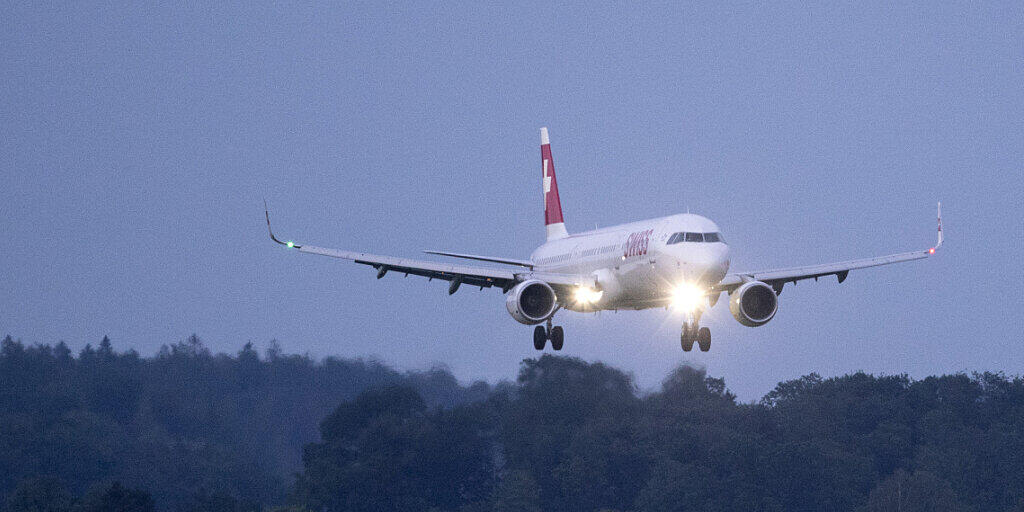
{"x": 457, "y": 275}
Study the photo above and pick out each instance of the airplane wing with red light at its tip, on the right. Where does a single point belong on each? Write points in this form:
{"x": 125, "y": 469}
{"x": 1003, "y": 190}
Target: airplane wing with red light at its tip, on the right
{"x": 780, "y": 277}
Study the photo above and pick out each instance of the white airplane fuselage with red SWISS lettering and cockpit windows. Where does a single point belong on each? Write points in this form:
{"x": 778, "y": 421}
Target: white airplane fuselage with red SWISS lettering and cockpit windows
{"x": 638, "y": 265}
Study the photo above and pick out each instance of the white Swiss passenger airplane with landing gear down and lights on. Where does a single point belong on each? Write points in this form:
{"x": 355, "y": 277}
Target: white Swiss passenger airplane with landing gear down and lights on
{"x": 679, "y": 262}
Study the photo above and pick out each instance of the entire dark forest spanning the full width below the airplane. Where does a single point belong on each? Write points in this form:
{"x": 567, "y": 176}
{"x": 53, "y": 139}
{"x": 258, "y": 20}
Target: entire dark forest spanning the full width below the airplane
{"x": 191, "y": 431}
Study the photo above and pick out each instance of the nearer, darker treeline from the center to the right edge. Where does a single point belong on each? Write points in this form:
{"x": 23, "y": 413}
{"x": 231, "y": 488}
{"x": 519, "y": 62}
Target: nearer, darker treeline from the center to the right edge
{"x": 576, "y": 437}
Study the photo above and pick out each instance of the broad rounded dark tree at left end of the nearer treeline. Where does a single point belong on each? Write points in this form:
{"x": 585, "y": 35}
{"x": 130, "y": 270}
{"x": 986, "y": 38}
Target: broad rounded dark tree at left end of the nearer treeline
{"x": 387, "y": 451}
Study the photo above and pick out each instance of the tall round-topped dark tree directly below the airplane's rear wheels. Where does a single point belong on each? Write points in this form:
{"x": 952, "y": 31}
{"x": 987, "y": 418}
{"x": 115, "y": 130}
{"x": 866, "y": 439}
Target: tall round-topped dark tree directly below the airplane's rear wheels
{"x": 572, "y": 425}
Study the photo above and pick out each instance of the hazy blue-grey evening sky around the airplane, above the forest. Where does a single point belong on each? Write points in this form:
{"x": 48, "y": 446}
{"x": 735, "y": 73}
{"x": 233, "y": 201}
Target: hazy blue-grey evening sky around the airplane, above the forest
{"x": 138, "y": 144}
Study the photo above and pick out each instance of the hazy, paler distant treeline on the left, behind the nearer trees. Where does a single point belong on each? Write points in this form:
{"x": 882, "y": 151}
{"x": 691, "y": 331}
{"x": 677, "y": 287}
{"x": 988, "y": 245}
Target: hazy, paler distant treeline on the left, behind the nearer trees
{"x": 185, "y": 426}
